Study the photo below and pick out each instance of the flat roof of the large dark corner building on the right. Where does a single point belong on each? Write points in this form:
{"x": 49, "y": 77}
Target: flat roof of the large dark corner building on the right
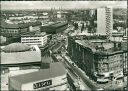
{"x": 101, "y": 47}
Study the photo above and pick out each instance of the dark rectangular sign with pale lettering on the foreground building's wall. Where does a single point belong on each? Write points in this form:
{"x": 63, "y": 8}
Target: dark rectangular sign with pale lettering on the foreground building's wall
{"x": 42, "y": 84}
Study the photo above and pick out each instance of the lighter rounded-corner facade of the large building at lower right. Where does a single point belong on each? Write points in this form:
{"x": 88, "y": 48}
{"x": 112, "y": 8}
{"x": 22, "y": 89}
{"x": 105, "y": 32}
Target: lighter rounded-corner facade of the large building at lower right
{"x": 108, "y": 65}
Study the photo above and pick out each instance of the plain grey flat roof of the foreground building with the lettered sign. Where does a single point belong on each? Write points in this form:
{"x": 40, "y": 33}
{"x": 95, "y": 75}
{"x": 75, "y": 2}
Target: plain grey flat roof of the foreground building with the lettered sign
{"x": 56, "y": 69}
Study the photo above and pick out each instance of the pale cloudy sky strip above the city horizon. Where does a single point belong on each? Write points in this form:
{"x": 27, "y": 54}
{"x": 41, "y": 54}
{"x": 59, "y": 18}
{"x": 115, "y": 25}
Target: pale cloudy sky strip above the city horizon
{"x": 15, "y": 5}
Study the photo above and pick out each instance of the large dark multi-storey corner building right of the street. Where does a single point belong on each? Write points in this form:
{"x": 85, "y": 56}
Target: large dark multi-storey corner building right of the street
{"x": 101, "y": 60}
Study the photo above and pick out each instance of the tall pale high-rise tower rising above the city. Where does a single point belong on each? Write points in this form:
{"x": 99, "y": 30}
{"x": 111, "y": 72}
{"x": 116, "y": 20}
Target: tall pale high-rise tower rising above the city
{"x": 105, "y": 21}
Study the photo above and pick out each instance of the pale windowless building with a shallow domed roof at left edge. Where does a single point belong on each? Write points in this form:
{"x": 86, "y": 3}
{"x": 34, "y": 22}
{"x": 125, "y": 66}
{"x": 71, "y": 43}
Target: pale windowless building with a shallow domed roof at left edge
{"x": 18, "y": 53}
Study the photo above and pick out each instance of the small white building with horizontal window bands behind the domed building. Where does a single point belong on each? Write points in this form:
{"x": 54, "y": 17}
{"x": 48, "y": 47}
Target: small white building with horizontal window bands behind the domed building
{"x": 34, "y": 39}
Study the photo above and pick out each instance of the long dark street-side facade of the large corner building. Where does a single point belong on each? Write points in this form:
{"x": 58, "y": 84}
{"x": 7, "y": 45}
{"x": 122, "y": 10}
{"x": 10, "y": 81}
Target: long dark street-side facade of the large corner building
{"x": 81, "y": 55}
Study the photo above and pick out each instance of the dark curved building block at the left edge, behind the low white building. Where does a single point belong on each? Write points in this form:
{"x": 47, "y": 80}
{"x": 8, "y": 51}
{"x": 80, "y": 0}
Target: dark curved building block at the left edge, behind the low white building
{"x": 15, "y": 30}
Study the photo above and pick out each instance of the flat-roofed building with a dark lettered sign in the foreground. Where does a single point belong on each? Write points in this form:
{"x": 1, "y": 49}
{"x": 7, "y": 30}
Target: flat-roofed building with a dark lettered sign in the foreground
{"x": 53, "y": 78}
